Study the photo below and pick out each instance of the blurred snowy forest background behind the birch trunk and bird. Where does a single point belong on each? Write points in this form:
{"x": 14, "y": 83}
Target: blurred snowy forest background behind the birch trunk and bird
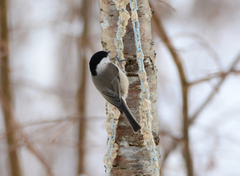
{"x": 50, "y": 92}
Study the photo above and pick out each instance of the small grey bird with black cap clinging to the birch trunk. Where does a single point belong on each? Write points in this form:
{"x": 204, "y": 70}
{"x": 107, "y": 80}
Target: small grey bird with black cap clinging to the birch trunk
{"x": 112, "y": 83}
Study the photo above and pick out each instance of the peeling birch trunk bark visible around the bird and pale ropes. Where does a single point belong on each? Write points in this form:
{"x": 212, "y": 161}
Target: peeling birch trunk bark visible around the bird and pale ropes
{"x": 133, "y": 158}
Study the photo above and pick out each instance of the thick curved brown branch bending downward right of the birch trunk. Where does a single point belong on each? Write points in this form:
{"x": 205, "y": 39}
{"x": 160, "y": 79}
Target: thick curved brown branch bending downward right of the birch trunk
{"x": 184, "y": 88}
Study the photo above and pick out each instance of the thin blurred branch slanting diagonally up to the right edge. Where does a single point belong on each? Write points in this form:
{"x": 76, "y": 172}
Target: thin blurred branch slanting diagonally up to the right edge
{"x": 211, "y": 95}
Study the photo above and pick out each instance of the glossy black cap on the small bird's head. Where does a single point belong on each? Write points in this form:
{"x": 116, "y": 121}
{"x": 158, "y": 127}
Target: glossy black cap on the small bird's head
{"x": 95, "y": 60}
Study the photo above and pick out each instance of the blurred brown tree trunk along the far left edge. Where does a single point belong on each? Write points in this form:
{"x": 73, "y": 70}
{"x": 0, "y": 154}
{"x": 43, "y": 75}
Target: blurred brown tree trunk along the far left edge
{"x": 6, "y": 93}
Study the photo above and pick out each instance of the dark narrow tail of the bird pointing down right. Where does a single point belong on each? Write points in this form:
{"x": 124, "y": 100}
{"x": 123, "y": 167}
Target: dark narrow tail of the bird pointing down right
{"x": 130, "y": 117}
